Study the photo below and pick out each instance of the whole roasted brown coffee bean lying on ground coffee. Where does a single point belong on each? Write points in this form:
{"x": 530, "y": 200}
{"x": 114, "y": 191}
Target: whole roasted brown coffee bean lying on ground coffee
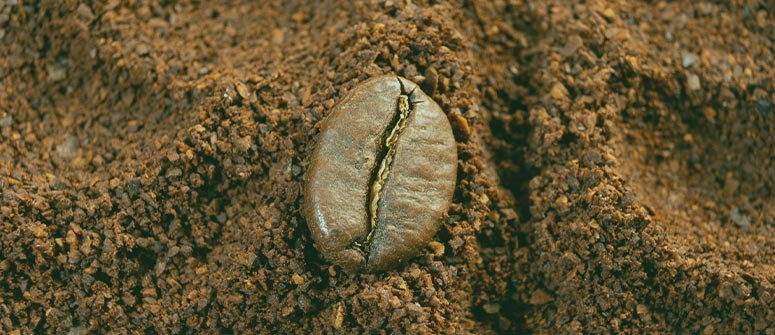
{"x": 381, "y": 177}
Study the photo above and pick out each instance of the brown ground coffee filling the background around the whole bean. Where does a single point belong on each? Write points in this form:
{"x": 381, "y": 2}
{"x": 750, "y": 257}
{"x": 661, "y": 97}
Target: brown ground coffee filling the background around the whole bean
{"x": 616, "y": 169}
